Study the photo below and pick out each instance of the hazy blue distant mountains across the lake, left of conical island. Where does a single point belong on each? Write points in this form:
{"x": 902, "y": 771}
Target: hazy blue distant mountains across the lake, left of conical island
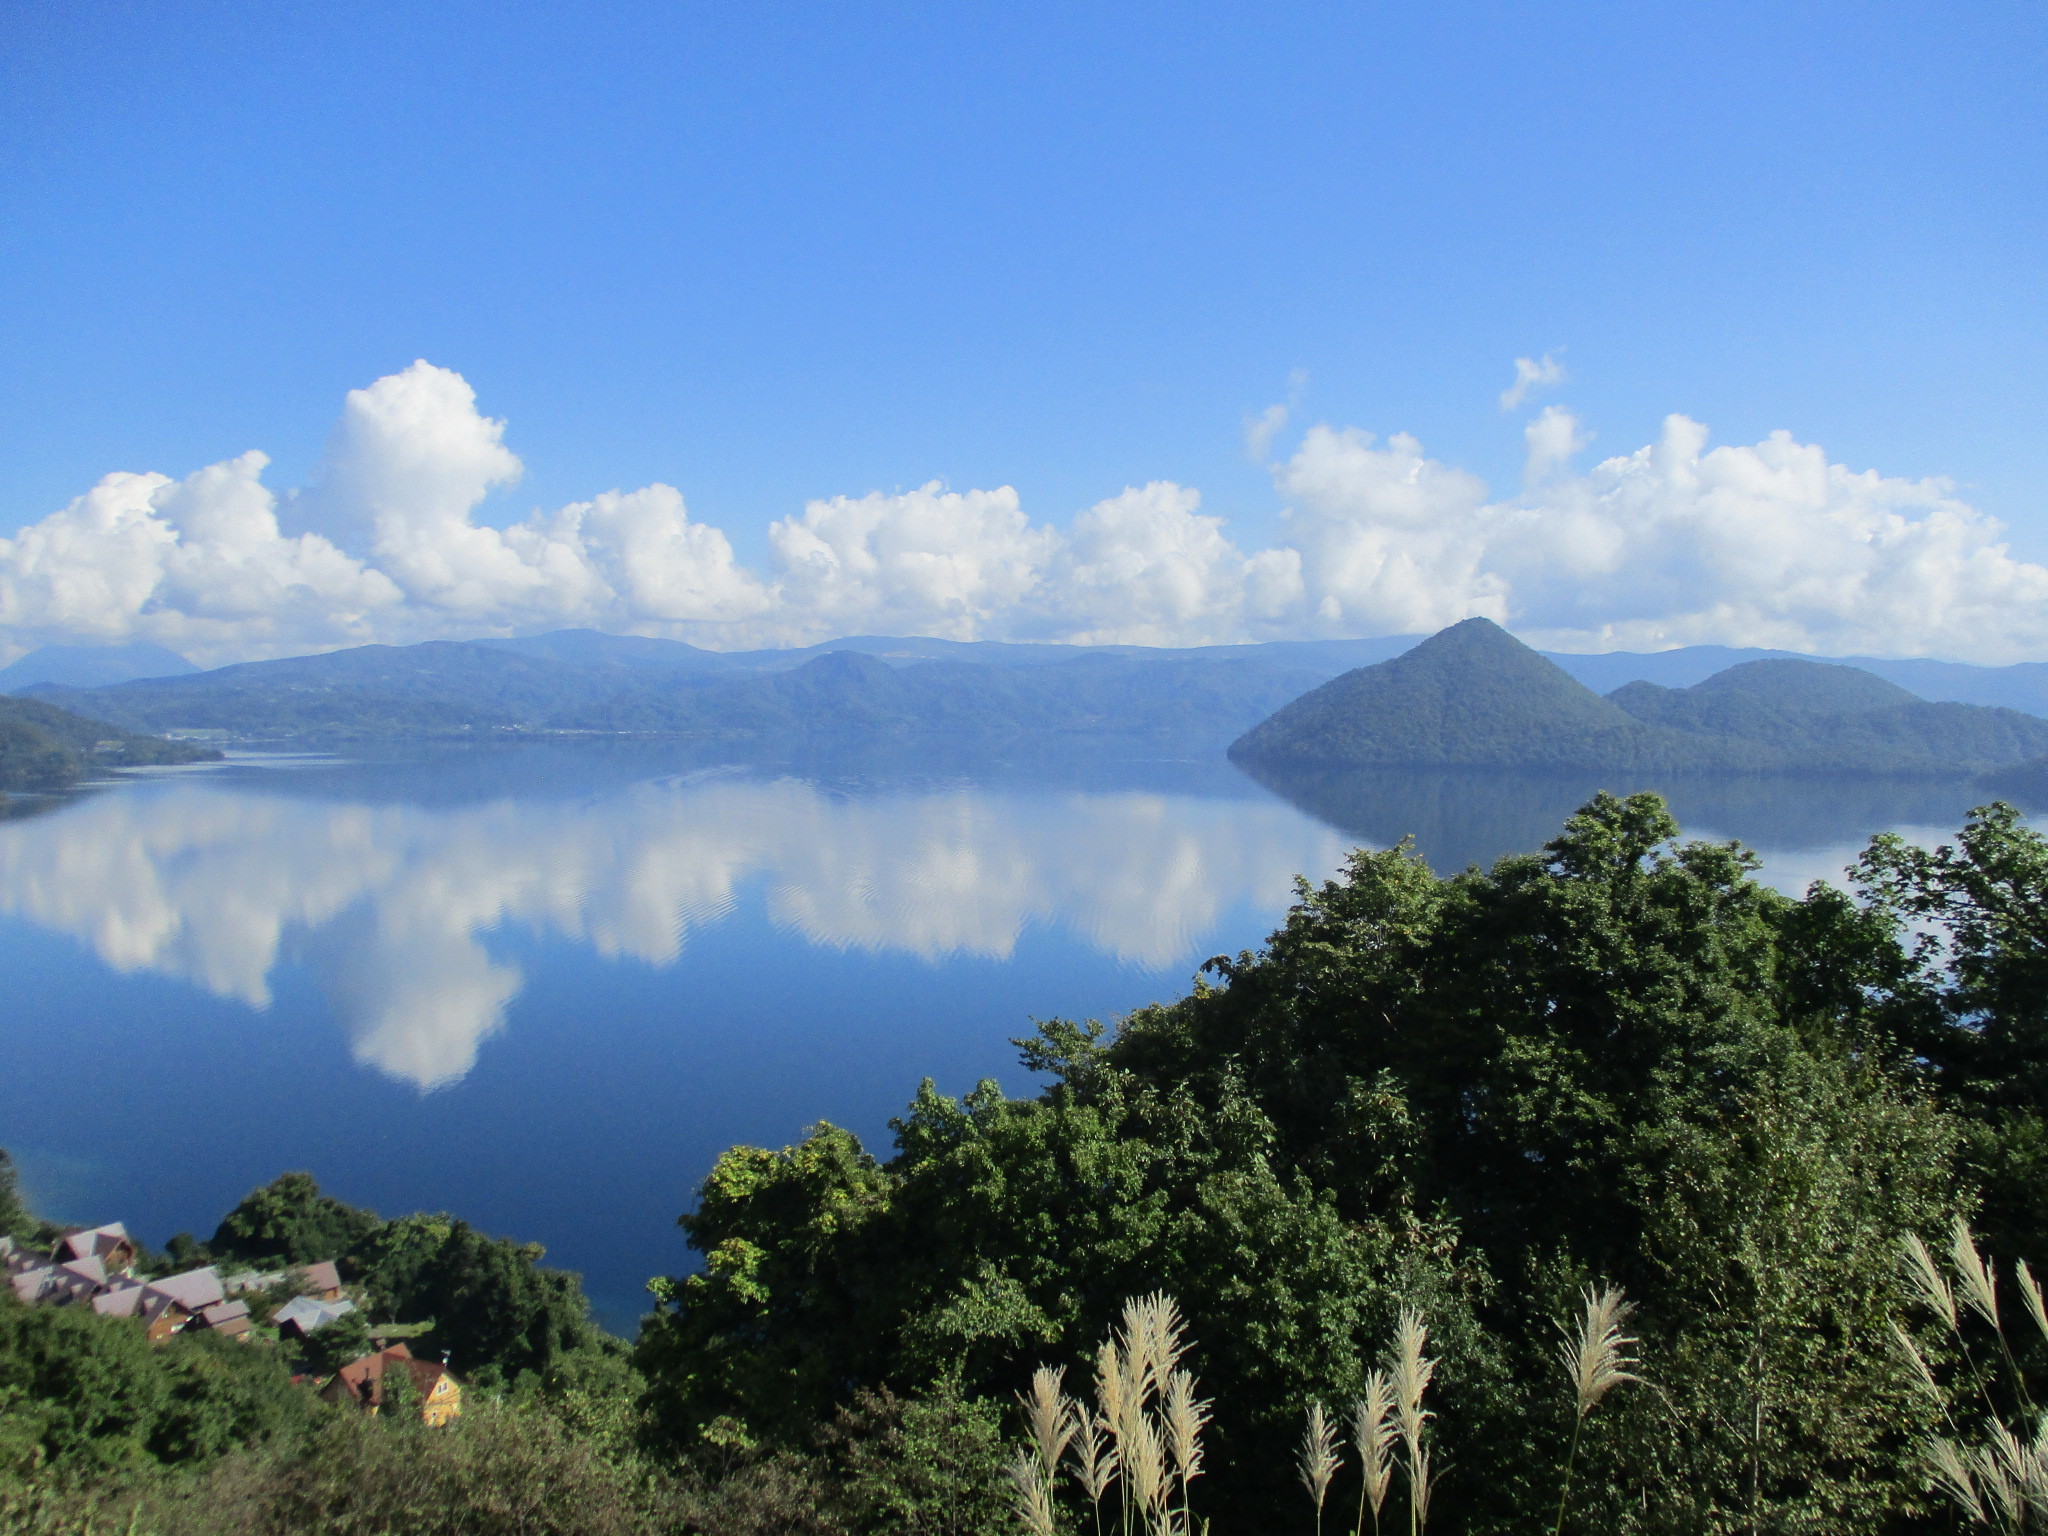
{"x": 452, "y": 689}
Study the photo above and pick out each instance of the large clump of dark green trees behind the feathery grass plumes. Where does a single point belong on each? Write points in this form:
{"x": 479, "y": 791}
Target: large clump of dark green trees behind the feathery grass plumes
{"x": 1615, "y": 1060}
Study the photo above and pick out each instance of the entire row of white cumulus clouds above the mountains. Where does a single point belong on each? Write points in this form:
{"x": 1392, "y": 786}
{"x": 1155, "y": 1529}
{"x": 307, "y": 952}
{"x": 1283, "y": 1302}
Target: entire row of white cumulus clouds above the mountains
{"x": 1674, "y": 544}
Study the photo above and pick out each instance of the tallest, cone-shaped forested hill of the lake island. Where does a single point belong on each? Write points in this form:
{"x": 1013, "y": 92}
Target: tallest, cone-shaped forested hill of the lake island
{"x": 1469, "y": 697}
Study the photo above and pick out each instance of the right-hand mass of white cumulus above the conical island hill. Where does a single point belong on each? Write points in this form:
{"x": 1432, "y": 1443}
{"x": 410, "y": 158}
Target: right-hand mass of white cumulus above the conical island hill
{"x": 1670, "y": 546}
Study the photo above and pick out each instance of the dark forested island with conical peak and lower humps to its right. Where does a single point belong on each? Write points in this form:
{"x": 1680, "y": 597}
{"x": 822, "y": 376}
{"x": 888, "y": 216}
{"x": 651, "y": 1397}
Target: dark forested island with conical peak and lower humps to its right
{"x": 1476, "y": 697}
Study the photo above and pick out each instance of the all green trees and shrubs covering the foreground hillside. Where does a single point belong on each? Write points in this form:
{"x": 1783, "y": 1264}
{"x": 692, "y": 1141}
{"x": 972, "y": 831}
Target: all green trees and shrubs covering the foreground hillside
{"x": 1791, "y": 1148}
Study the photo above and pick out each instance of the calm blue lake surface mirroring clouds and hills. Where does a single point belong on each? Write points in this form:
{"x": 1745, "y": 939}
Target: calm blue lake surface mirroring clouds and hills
{"x": 544, "y": 988}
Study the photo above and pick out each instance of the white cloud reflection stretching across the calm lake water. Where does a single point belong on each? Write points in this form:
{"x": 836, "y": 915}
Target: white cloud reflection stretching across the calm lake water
{"x": 392, "y": 904}
